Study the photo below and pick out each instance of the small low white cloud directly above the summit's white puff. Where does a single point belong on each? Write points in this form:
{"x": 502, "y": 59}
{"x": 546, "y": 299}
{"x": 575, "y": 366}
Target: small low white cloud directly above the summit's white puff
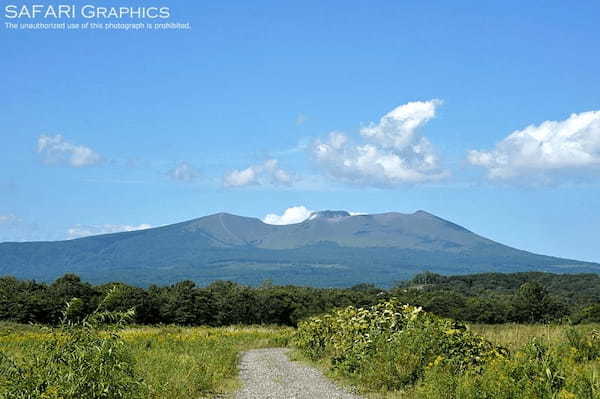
{"x": 268, "y": 172}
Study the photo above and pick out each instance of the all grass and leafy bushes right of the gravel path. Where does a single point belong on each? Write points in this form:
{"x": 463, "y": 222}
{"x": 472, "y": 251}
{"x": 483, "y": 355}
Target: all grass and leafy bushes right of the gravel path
{"x": 397, "y": 351}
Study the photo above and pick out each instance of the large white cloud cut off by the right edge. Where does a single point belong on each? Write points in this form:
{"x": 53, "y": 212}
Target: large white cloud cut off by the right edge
{"x": 569, "y": 145}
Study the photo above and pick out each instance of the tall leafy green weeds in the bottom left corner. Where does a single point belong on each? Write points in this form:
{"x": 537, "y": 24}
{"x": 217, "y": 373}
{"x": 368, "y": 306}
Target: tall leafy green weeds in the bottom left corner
{"x": 76, "y": 360}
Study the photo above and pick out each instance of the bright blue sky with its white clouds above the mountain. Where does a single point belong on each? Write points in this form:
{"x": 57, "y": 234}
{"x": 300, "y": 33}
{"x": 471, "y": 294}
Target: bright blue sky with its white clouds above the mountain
{"x": 483, "y": 113}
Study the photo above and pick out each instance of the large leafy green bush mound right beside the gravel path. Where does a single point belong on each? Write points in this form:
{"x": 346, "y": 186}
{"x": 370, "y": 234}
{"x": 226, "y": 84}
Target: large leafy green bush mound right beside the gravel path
{"x": 389, "y": 345}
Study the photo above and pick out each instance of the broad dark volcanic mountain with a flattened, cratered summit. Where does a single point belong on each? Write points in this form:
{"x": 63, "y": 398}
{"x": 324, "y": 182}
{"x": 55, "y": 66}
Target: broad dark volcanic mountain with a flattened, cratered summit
{"x": 330, "y": 248}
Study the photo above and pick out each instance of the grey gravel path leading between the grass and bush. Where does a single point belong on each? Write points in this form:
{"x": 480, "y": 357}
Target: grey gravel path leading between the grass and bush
{"x": 269, "y": 374}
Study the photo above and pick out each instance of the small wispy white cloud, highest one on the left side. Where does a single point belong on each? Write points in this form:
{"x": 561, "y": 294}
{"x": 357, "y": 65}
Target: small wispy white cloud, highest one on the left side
{"x": 56, "y": 150}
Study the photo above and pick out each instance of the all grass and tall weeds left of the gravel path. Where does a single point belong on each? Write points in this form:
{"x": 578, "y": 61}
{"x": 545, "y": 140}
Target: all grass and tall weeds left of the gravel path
{"x": 94, "y": 356}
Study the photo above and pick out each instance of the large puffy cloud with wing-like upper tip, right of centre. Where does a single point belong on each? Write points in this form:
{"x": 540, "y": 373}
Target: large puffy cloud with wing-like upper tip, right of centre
{"x": 392, "y": 151}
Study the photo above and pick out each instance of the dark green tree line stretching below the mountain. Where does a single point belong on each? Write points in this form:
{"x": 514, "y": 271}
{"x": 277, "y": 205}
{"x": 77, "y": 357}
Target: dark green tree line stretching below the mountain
{"x": 483, "y": 298}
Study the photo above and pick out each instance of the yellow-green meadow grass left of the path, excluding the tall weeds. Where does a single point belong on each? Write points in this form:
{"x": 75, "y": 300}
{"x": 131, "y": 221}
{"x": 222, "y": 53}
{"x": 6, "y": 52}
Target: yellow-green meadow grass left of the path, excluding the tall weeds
{"x": 174, "y": 362}
